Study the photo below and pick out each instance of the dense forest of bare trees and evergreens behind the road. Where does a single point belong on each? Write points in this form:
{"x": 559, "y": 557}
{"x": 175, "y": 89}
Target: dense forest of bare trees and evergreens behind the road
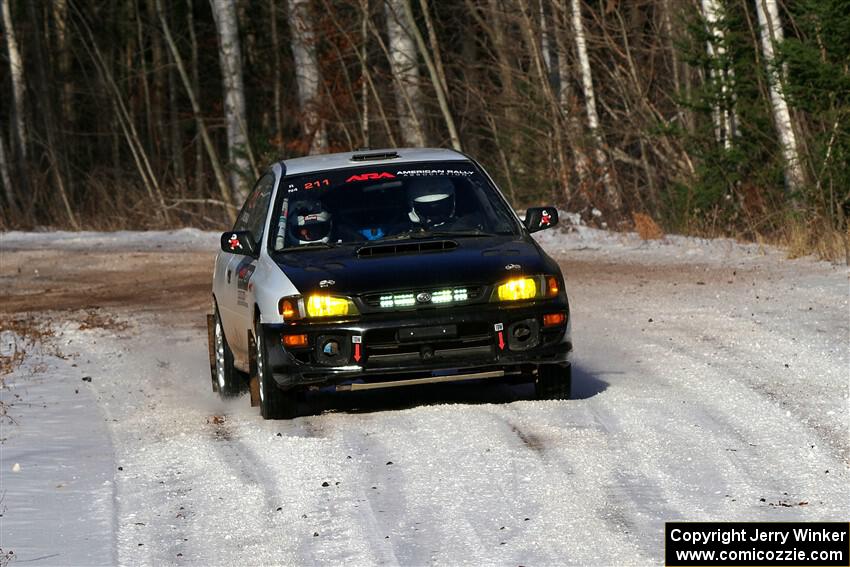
{"x": 712, "y": 117}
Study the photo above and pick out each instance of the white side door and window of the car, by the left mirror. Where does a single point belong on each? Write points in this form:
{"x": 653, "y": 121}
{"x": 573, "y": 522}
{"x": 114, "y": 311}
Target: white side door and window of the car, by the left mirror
{"x": 241, "y": 268}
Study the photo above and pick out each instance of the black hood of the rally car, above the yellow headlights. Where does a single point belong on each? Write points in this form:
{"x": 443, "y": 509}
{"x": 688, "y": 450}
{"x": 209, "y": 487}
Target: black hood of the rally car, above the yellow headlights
{"x": 482, "y": 261}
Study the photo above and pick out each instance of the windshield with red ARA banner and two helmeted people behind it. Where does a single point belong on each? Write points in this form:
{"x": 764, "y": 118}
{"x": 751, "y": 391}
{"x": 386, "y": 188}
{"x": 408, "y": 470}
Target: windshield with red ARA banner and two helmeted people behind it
{"x": 375, "y": 203}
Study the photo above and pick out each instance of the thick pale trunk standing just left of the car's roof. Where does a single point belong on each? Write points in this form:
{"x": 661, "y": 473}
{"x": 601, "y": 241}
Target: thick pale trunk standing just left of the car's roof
{"x": 230, "y": 57}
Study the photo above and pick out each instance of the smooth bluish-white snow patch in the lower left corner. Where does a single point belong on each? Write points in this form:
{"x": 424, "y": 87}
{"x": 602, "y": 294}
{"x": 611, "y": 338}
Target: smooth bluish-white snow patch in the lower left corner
{"x": 55, "y": 465}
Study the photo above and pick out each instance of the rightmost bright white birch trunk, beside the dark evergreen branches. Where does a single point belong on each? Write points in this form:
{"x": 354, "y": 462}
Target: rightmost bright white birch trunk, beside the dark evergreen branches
{"x": 772, "y": 35}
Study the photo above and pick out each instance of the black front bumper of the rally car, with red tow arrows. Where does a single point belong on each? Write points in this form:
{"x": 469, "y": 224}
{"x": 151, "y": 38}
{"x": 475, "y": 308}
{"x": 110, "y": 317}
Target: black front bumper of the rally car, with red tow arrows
{"x": 421, "y": 343}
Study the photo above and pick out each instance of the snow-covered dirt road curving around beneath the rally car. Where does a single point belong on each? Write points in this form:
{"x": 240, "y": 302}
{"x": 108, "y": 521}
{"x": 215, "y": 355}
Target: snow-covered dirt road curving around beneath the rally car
{"x": 710, "y": 383}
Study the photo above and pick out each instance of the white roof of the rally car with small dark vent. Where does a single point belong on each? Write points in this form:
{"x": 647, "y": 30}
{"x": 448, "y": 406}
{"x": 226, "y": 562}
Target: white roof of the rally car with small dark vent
{"x": 357, "y": 158}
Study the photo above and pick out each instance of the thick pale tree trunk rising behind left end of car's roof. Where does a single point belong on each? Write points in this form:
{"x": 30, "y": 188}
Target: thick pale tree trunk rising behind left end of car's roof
{"x": 307, "y": 74}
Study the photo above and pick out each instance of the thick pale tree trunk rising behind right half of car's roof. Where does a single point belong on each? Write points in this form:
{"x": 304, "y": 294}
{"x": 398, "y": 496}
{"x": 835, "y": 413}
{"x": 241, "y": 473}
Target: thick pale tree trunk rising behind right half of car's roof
{"x": 405, "y": 69}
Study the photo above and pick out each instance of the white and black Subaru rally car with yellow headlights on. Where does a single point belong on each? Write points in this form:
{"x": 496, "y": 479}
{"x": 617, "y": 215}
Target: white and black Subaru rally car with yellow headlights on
{"x": 379, "y": 269}
